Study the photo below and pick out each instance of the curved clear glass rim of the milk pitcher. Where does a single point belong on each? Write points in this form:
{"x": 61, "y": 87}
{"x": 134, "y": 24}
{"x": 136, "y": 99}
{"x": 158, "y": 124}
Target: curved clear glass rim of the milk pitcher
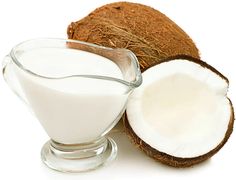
{"x": 135, "y": 83}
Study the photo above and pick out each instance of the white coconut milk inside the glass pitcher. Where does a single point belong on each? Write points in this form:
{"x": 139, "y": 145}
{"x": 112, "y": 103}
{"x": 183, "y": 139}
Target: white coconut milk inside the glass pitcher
{"x": 72, "y": 110}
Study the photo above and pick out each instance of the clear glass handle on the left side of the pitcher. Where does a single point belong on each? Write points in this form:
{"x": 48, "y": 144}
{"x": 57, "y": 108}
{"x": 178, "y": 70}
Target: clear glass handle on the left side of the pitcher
{"x": 11, "y": 79}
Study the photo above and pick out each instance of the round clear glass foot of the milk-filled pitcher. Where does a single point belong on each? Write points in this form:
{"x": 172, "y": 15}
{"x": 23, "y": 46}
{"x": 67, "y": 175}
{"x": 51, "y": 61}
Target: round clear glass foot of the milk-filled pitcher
{"x": 80, "y": 157}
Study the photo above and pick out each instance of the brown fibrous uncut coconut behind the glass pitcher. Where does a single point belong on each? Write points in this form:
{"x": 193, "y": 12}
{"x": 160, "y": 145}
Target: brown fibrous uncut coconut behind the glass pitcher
{"x": 147, "y": 32}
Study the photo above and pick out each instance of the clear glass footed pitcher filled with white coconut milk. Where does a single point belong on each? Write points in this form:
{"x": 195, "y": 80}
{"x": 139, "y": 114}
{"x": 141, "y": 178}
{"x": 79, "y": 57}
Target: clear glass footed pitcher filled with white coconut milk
{"x": 78, "y": 91}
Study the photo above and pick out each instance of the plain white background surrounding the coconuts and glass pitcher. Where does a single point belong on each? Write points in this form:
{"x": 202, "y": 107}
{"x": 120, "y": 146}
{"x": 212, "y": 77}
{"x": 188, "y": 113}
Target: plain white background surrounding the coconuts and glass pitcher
{"x": 212, "y": 26}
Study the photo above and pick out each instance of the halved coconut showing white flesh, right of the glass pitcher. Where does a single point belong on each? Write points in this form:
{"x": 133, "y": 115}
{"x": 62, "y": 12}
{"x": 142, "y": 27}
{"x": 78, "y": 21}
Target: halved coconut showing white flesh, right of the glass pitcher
{"x": 180, "y": 115}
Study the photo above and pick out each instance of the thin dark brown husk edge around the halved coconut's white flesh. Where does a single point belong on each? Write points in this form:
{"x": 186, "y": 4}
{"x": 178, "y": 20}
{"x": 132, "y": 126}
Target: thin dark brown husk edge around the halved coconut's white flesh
{"x": 172, "y": 160}
